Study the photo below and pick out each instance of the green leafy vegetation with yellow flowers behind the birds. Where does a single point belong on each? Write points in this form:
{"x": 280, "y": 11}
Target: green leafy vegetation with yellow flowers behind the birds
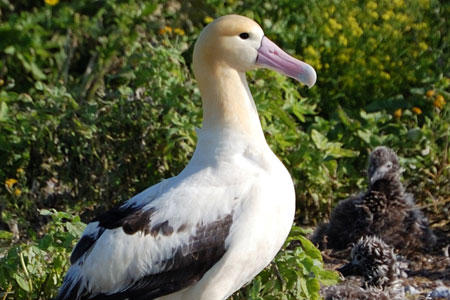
{"x": 98, "y": 102}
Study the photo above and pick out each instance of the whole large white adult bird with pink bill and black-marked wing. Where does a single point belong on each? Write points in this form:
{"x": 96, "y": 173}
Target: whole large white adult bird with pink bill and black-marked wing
{"x": 204, "y": 233}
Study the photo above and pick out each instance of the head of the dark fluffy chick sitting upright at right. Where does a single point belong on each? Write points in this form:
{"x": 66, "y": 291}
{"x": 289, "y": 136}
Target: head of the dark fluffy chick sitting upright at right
{"x": 383, "y": 165}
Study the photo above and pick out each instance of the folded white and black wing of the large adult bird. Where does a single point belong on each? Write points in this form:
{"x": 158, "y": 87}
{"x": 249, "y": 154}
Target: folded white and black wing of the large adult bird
{"x": 160, "y": 241}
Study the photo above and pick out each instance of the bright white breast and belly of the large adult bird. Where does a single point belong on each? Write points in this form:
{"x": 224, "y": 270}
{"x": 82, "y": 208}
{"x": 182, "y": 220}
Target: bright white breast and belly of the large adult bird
{"x": 264, "y": 212}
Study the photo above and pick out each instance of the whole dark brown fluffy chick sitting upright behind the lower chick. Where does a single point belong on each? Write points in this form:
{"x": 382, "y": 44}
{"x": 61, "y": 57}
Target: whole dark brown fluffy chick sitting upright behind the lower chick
{"x": 384, "y": 210}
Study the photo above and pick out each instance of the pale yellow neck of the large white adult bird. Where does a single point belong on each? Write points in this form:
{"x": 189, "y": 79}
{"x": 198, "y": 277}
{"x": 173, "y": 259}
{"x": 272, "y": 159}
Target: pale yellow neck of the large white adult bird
{"x": 227, "y": 101}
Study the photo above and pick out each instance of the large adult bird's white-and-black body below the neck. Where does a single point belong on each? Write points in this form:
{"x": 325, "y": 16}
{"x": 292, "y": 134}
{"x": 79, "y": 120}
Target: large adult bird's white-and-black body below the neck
{"x": 176, "y": 216}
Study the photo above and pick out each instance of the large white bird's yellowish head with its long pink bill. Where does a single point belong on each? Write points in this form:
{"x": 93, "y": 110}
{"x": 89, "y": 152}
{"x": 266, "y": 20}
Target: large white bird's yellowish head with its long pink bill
{"x": 239, "y": 42}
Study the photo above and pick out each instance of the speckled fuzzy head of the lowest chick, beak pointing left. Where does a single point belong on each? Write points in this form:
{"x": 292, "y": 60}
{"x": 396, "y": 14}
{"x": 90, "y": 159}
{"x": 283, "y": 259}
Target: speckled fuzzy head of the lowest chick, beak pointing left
{"x": 372, "y": 258}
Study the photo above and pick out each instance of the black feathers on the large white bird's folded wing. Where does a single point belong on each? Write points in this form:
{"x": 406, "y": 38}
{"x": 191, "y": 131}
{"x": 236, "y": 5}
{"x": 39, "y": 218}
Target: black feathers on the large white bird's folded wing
{"x": 187, "y": 265}
